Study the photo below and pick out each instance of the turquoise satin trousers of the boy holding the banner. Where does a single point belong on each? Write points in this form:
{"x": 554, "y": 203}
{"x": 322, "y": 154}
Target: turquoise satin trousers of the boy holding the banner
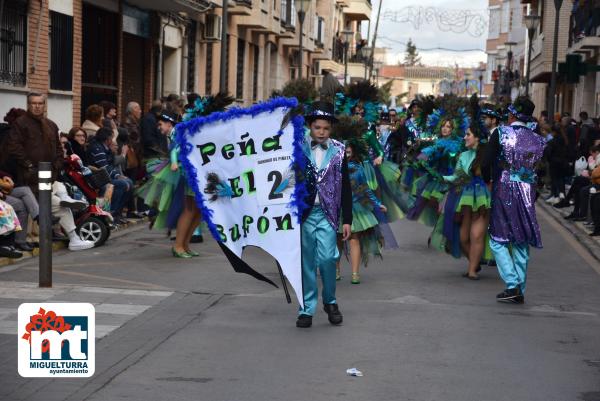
{"x": 319, "y": 249}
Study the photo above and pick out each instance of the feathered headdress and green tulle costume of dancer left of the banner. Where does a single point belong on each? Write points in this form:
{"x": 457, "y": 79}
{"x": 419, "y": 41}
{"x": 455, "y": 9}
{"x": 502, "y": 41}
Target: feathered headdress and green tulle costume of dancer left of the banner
{"x": 166, "y": 189}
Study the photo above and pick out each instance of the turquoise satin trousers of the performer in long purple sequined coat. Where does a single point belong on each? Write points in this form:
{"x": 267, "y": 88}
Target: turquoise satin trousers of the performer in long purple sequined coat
{"x": 512, "y": 268}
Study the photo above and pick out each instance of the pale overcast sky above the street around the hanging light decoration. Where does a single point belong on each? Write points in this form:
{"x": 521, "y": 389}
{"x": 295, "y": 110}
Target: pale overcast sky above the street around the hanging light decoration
{"x": 394, "y": 35}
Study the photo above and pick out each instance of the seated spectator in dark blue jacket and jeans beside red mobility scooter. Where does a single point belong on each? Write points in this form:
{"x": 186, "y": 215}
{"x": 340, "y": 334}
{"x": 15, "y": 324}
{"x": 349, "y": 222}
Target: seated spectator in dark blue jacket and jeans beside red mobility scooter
{"x": 101, "y": 156}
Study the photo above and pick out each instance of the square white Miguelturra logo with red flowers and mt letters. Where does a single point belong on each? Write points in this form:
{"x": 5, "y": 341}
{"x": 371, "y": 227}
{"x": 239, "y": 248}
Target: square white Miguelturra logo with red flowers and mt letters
{"x": 56, "y": 339}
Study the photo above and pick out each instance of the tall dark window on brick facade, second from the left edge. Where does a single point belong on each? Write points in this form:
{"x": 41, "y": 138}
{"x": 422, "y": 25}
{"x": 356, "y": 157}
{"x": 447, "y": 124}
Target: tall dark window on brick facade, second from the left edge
{"x": 61, "y": 51}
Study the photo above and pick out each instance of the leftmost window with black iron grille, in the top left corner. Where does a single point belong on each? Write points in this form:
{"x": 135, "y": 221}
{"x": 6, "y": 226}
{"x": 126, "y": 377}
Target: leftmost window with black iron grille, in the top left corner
{"x": 13, "y": 43}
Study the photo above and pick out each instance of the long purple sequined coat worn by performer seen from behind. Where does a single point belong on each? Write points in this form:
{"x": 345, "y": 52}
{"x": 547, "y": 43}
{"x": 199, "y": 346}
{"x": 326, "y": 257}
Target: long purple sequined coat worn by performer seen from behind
{"x": 513, "y": 218}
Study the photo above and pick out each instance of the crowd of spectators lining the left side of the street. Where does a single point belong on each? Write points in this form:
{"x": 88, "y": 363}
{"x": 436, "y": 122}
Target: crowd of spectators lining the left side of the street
{"x": 102, "y": 142}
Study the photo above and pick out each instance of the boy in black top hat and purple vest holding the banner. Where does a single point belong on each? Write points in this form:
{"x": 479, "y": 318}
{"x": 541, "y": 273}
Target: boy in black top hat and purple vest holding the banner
{"x": 329, "y": 195}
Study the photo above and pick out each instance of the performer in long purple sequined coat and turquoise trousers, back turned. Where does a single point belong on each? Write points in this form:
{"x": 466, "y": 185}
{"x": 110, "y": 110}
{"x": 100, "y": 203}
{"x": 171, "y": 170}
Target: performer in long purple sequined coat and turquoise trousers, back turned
{"x": 510, "y": 164}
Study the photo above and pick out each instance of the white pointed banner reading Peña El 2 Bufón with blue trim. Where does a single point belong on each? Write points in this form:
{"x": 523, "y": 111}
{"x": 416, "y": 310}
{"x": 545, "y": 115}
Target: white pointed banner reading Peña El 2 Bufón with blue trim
{"x": 241, "y": 165}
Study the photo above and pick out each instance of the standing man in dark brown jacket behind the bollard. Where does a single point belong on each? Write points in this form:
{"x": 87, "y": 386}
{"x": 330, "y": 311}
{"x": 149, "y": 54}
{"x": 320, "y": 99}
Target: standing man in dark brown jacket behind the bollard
{"x": 33, "y": 139}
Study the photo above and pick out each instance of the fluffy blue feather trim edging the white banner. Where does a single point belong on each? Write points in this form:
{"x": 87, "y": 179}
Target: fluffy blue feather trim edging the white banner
{"x": 194, "y": 126}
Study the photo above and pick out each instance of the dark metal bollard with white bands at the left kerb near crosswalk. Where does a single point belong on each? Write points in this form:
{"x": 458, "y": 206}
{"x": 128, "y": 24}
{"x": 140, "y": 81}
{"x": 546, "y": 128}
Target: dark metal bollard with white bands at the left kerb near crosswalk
{"x": 45, "y": 222}
